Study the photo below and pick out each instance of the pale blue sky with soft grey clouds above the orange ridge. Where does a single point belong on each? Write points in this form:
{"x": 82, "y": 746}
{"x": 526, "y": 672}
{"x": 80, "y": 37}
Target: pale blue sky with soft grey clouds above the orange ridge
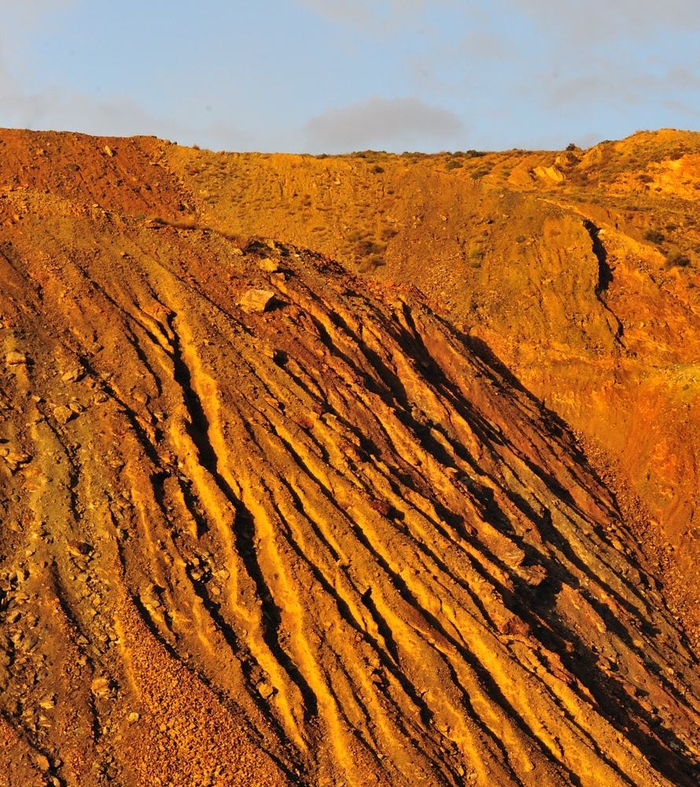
{"x": 333, "y": 76}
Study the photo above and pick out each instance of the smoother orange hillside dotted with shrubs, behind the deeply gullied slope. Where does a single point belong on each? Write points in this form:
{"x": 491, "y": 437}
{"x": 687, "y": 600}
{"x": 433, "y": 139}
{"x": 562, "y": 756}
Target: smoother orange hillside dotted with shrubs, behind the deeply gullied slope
{"x": 579, "y": 269}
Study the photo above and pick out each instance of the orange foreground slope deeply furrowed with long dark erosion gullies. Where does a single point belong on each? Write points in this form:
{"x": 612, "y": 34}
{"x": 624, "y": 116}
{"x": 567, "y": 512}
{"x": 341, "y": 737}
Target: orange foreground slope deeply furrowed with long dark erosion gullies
{"x": 319, "y": 543}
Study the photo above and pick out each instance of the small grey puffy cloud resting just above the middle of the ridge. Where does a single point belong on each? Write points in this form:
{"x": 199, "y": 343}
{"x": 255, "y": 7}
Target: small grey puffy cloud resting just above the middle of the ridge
{"x": 396, "y": 124}
